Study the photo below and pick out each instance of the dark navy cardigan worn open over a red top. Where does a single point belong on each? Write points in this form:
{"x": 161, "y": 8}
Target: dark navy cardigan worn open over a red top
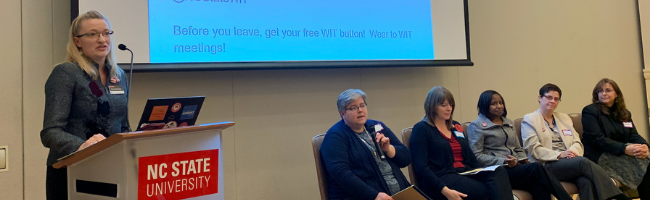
{"x": 433, "y": 157}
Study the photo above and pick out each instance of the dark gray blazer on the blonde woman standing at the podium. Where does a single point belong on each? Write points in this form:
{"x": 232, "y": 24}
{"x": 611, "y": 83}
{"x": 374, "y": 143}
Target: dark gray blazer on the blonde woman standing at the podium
{"x": 77, "y": 107}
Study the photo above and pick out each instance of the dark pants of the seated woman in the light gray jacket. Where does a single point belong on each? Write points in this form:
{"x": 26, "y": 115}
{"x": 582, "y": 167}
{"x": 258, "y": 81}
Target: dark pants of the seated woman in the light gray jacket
{"x": 535, "y": 179}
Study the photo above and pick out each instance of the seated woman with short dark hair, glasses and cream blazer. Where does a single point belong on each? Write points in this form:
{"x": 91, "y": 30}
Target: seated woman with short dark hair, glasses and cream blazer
{"x": 550, "y": 139}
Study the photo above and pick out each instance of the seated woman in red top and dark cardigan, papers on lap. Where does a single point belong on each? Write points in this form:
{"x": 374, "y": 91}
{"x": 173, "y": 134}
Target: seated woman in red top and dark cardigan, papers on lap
{"x": 440, "y": 151}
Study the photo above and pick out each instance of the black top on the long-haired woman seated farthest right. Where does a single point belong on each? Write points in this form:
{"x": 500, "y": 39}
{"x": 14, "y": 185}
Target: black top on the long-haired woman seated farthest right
{"x": 602, "y": 133}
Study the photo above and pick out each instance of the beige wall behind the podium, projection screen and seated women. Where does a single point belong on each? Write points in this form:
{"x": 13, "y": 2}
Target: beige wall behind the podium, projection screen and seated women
{"x": 517, "y": 46}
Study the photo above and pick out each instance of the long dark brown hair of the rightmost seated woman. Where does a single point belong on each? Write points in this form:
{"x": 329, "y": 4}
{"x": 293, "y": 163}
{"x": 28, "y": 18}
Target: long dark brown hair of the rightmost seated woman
{"x": 618, "y": 111}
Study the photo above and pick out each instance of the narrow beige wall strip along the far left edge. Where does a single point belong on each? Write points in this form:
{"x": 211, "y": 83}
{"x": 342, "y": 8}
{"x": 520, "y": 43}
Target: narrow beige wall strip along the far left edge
{"x": 11, "y": 102}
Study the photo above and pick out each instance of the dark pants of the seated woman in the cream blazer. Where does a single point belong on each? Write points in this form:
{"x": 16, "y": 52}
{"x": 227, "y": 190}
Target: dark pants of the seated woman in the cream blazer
{"x": 592, "y": 180}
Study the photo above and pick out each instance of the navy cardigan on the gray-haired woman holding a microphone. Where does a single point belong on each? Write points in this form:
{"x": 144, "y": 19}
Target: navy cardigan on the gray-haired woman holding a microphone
{"x": 352, "y": 169}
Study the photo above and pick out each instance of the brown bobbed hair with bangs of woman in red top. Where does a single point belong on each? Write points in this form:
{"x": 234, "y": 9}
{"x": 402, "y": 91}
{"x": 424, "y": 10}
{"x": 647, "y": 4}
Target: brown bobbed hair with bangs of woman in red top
{"x": 436, "y": 97}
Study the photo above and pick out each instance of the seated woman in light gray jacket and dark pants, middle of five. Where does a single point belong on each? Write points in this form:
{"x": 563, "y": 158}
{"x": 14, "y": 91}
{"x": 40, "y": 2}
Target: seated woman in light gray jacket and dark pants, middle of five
{"x": 494, "y": 141}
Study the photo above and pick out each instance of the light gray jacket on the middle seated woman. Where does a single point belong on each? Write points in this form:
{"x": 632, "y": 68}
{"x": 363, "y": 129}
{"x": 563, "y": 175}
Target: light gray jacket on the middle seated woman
{"x": 491, "y": 143}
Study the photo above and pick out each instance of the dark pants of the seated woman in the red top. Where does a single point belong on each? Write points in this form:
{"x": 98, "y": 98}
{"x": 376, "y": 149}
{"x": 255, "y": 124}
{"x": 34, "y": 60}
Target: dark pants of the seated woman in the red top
{"x": 482, "y": 186}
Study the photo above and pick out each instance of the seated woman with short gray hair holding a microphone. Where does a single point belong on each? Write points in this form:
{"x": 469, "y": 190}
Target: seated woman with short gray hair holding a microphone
{"x": 362, "y": 156}
